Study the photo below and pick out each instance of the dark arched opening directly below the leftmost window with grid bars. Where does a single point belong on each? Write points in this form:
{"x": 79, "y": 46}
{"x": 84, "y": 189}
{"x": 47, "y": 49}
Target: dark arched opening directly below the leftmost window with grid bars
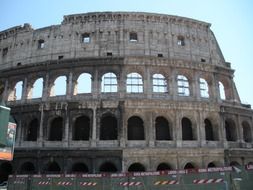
{"x": 109, "y": 128}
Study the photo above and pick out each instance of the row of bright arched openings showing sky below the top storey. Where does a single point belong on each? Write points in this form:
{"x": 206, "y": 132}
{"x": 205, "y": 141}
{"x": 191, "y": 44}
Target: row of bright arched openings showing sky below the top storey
{"x": 110, "y": 84}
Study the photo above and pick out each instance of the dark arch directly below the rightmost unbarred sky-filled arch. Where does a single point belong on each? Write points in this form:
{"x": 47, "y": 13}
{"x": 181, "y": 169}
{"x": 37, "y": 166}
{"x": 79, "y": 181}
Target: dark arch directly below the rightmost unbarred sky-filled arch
{"x": 81, "y": 129}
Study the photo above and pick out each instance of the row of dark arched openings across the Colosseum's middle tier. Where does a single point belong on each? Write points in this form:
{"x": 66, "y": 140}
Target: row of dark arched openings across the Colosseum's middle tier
{"x": 110, "y": 127}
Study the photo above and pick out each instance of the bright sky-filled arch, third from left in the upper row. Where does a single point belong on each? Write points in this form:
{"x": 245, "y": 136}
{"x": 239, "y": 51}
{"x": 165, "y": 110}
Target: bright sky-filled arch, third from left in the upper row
{"x": 59, "y": 87}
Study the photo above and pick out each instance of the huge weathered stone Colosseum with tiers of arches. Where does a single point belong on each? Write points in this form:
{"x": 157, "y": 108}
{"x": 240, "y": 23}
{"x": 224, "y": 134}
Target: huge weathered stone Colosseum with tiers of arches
{"x": 121, "y": 91}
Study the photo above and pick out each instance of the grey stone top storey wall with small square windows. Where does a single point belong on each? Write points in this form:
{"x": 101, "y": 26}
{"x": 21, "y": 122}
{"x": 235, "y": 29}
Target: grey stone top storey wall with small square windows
{"x": 109, "y": 34}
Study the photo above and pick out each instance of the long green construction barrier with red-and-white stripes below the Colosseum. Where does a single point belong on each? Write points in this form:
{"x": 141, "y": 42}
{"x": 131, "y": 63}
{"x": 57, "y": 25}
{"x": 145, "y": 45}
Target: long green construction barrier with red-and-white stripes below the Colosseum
{"x": 220, "y": 178}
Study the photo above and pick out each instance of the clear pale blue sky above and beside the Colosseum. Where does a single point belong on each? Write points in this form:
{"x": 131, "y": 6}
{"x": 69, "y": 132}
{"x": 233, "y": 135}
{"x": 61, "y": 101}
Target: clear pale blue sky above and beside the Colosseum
{"x": 232, "y": 23}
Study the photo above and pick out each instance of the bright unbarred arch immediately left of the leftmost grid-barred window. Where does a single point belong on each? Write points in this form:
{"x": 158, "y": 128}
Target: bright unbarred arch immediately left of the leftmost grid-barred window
{"x": 84, "y": 83}
